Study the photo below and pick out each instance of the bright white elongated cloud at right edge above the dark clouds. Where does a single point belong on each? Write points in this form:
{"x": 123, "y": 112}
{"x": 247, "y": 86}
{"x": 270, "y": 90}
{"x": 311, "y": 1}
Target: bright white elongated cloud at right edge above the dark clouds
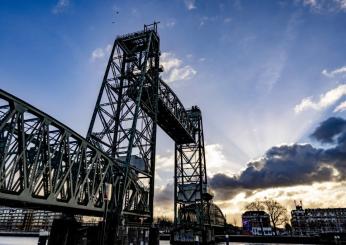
{"x": 326, "y": 100}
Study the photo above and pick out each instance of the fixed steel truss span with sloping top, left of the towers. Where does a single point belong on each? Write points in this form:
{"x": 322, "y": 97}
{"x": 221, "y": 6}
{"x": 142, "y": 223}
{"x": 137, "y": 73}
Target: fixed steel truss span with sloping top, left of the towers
{"x": 44, "y": 164}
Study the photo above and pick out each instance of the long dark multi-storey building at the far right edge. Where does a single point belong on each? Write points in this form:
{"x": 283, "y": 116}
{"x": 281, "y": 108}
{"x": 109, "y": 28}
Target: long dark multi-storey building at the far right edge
{"x": 313, "y": 222}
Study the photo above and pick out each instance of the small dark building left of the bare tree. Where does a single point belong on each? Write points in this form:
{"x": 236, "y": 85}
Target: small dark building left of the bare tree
{"x": 256, "y": 223}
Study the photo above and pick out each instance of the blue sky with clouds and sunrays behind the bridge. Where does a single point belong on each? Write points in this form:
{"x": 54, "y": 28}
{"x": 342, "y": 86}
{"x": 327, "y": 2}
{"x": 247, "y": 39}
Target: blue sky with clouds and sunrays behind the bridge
{"x": 269, "y": 77}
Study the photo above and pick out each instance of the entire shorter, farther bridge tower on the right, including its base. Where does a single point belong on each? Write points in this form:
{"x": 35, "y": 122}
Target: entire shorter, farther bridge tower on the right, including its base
{"x": 190, "y": 194}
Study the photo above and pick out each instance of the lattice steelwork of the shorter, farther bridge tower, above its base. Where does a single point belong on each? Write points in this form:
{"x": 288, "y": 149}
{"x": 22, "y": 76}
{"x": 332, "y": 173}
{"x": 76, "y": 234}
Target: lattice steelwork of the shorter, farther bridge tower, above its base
{"x": 190, "y": 173}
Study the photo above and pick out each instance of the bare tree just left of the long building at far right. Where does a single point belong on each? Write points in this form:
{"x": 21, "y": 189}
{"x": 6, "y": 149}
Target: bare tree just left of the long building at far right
{"x": 277, "y": 213}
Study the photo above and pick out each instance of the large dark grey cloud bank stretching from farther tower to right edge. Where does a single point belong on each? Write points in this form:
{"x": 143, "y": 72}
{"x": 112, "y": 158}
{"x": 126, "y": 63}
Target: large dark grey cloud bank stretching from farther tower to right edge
{"x": 290, "y": 165}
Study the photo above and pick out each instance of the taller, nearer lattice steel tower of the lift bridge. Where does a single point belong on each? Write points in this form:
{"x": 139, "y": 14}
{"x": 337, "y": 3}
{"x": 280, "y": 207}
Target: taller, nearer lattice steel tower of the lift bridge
{"x": 124, "y": 122}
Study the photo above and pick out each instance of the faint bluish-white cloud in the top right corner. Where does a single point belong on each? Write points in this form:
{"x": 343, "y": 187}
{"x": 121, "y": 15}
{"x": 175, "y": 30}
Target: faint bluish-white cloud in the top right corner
{"x": 320, "y": 6}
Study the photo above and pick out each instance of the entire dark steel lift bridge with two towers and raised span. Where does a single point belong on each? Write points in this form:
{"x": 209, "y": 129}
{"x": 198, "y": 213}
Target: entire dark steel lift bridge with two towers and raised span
{"x": 46, "y": 165}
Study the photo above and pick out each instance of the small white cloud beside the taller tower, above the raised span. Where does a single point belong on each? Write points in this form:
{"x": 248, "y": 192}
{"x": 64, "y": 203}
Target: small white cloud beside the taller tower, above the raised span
{"x": 174, "y": 70}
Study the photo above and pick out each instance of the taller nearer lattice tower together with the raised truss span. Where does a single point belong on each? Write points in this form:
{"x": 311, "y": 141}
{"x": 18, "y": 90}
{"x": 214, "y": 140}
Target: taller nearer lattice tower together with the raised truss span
{"x": 132, "y": 101}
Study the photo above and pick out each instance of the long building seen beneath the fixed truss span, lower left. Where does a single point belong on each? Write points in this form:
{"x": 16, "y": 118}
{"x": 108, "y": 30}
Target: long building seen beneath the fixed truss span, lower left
{"x": 16, "y": 219}
